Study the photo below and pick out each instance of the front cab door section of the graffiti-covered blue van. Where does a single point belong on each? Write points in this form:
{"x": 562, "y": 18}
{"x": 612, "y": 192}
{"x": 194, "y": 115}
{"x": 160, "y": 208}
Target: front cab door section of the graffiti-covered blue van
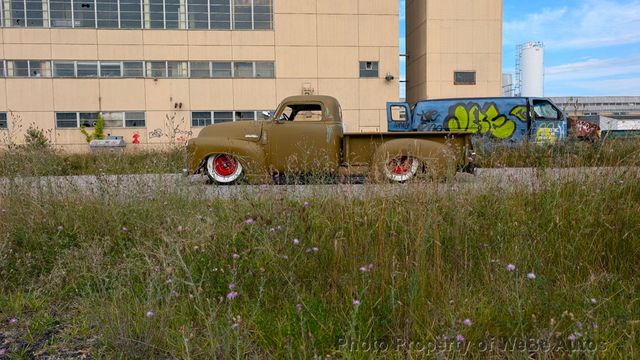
{"x": 548, "y": 123}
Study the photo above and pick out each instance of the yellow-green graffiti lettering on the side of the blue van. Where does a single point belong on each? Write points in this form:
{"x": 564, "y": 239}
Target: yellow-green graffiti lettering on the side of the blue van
{"x": 486, "y": 120}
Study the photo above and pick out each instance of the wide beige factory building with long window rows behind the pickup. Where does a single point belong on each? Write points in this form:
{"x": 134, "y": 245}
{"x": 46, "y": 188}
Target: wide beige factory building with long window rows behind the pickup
{"x": 158, "y": 71}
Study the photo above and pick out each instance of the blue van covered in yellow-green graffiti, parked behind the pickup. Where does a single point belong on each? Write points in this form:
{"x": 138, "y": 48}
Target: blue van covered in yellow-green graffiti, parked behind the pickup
{"x": 508, "y": 118}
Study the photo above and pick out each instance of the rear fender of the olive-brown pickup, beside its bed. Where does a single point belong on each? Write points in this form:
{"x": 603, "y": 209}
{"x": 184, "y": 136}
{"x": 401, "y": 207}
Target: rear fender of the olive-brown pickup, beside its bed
{"x": 437, "y": 159}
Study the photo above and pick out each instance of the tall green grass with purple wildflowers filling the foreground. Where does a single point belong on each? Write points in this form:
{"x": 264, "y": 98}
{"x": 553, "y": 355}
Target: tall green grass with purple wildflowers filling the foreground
{"x": 164, "y": 275}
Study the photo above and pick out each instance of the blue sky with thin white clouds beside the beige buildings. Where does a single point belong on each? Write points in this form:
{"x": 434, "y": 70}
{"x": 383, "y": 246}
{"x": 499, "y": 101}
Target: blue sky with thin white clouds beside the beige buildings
{"x": 592, "y": 47}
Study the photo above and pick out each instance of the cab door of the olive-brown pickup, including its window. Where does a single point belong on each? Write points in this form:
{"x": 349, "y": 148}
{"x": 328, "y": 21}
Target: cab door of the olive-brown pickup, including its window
{"x": 300, "y": 140}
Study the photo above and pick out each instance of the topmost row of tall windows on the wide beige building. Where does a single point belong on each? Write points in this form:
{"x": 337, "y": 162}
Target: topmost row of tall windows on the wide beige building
{"x": 137, "y": 14}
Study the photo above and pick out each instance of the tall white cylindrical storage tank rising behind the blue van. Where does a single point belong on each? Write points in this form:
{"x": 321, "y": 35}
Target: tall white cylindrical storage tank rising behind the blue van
{"x": 531, "y": 69}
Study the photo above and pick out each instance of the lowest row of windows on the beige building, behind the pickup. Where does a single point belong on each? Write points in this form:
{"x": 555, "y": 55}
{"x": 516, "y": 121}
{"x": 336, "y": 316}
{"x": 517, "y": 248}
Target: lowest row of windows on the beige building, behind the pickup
{"x": 136, "y": 119}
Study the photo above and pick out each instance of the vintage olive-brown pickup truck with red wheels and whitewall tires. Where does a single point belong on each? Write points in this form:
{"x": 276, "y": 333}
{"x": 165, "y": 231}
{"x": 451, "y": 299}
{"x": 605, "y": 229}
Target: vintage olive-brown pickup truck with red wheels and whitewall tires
{"x": 305, "y": 135}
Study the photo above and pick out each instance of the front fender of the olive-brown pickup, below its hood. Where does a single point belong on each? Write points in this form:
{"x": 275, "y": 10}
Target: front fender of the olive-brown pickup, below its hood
{"x": 250, "y": 155}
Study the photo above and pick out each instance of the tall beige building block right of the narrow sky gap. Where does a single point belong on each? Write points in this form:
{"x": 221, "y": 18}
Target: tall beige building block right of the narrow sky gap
{"x": 454, "y": 48}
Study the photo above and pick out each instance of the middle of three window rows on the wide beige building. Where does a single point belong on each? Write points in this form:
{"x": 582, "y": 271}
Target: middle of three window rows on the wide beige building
{"x": 153, "y": 69}
